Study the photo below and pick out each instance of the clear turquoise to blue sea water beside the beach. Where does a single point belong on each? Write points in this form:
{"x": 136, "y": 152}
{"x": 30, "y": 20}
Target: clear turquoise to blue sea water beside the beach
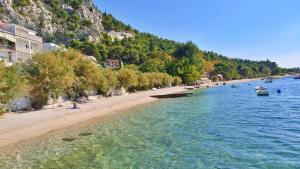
{"x": 218, "y": 128}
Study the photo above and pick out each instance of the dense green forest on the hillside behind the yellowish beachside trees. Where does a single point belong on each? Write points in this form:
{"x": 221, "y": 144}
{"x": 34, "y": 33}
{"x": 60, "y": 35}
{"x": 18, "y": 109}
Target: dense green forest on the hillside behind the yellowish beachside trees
{"x": 185, "y": 60}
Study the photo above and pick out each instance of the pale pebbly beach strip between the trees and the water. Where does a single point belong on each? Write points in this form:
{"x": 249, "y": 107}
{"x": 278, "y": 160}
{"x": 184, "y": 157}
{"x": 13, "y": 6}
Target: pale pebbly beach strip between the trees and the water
{"x": 16, "y": 128}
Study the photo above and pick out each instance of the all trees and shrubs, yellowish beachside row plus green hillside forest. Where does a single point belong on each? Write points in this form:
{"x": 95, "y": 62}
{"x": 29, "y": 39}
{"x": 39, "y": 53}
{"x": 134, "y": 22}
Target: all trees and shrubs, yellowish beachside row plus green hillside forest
{"x": 149, "y": 61}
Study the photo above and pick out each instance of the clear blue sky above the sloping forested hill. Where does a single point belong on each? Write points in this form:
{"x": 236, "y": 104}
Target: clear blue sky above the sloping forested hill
{"x": 248, "y": 29}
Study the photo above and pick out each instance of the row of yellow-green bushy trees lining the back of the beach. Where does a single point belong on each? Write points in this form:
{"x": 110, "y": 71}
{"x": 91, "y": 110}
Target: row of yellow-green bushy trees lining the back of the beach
{"x": 70, "y": 75}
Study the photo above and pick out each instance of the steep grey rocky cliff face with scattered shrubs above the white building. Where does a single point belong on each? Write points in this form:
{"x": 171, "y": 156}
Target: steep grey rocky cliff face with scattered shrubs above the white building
{"x": 55, "y": 20}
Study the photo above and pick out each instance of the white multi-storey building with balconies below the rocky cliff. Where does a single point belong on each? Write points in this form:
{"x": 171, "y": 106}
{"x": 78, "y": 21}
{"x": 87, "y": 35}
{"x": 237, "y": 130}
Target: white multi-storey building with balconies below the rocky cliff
{"x": 18, "y": 44}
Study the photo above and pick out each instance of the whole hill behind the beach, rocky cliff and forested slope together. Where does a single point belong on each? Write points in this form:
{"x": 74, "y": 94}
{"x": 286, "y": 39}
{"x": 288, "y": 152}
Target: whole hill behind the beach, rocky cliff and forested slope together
{"x": 81, "y": 25}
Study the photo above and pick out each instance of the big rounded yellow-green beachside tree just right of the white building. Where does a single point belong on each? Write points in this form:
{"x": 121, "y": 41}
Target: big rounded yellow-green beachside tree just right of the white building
{"x": 50, "y": 76}
